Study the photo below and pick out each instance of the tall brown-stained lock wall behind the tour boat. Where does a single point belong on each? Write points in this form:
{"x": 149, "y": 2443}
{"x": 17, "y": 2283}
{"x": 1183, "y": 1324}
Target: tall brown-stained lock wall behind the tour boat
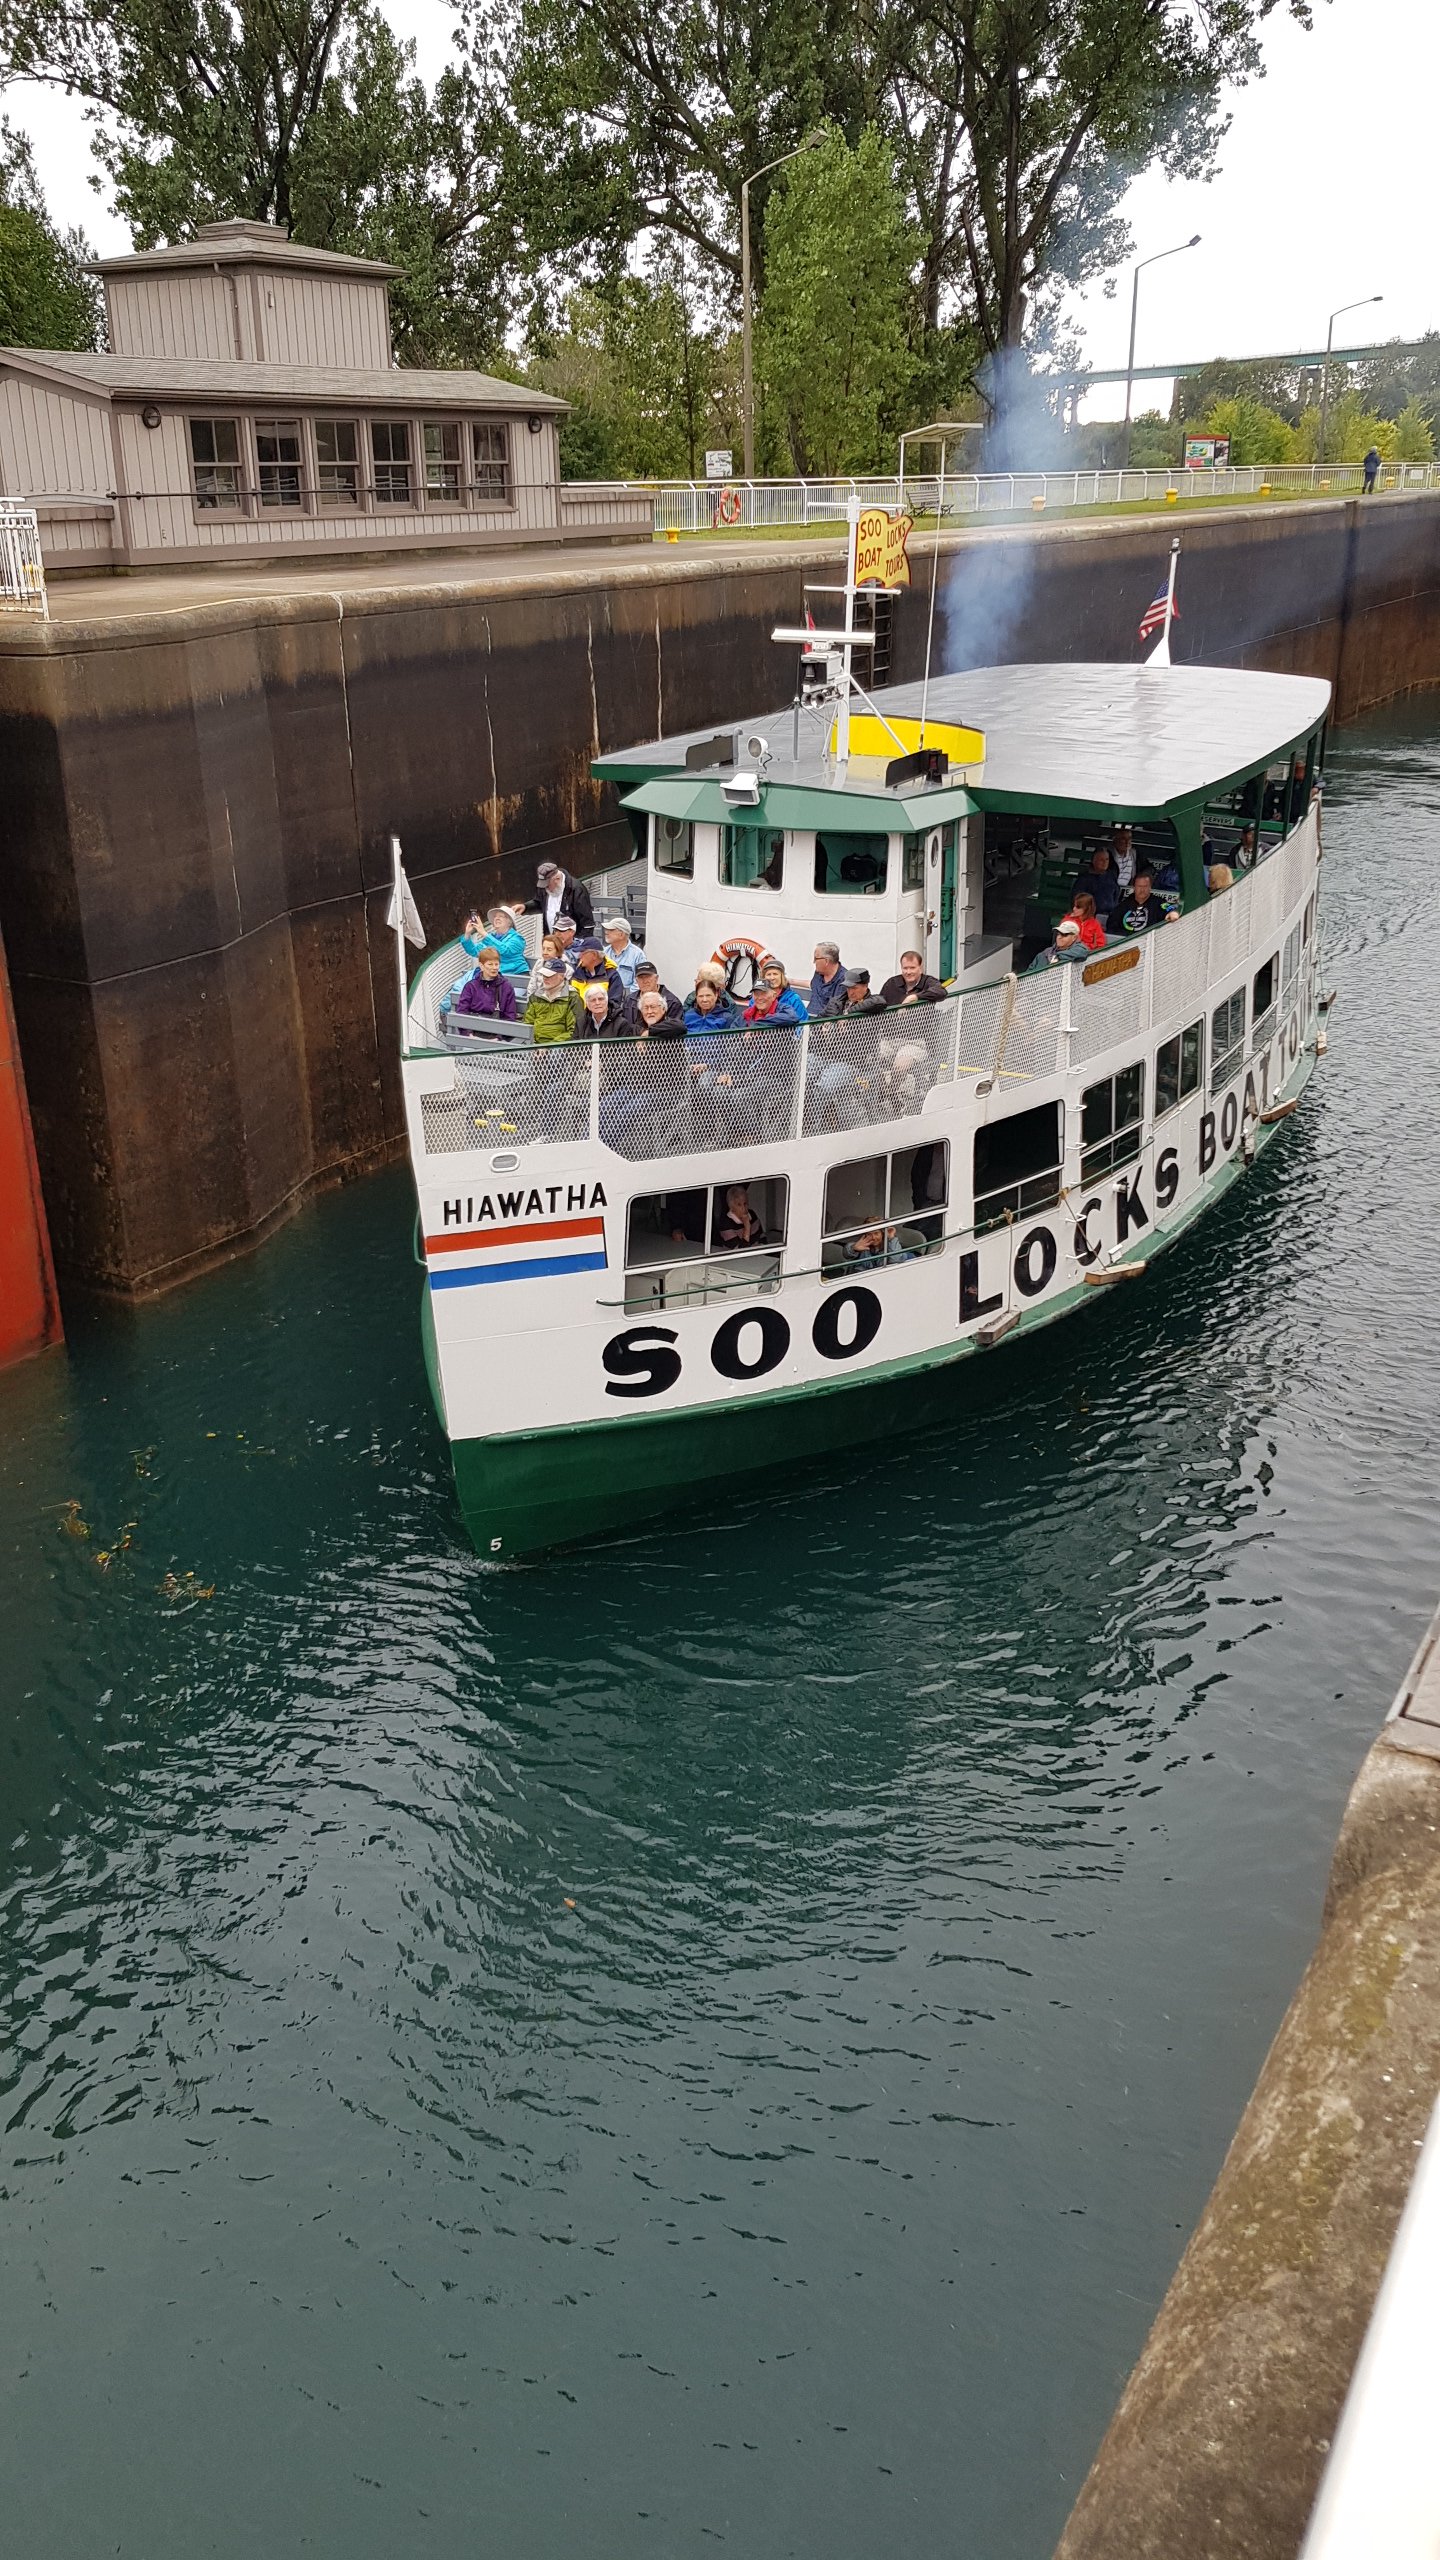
{"x": 201, "y": 805}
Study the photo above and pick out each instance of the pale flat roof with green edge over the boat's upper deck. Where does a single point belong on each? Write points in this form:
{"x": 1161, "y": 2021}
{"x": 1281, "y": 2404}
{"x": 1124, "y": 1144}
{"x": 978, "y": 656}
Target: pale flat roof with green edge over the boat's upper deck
{"x": 1124, "y": 741}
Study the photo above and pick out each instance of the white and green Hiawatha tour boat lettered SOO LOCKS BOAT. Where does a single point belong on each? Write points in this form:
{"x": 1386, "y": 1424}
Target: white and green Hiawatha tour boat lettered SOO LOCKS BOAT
{"x": 924, "y": 1184}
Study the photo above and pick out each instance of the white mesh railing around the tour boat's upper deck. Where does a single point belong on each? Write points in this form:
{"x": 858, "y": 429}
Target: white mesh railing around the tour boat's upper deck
{"x": 719, "y": 1092}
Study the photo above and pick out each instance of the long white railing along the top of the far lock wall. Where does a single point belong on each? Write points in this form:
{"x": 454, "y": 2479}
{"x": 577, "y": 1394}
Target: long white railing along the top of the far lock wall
{"x": 752, "y": 506}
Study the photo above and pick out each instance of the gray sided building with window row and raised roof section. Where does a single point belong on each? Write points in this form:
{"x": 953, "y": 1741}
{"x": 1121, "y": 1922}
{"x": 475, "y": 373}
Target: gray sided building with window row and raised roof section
{"x": 252, "y": 406}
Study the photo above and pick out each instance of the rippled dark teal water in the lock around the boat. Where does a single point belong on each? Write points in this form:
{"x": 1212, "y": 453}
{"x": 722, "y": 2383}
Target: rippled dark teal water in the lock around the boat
{"x": 714, "y": 2042}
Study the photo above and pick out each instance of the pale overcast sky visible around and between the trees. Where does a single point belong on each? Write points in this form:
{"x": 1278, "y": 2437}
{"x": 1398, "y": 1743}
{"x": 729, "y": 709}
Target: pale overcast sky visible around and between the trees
{"x": 1326, "y": 193}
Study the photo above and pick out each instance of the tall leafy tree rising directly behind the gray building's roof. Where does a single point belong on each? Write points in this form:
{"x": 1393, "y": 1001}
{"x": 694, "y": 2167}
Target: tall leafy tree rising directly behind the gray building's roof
{"x": 304, "y": 114}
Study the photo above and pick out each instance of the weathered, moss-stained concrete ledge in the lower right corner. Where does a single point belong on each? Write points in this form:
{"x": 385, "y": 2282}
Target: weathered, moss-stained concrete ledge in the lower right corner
{"x": 1221, "y": 2438}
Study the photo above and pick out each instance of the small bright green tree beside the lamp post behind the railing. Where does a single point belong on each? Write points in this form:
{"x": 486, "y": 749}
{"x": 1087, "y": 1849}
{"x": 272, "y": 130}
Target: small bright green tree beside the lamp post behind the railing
{"x": 834, "y": 332}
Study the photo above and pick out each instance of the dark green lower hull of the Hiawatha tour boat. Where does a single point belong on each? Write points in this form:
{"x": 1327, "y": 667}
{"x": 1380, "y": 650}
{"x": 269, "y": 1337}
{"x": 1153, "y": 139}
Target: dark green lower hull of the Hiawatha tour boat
{"x": 527, "y": 1491}
